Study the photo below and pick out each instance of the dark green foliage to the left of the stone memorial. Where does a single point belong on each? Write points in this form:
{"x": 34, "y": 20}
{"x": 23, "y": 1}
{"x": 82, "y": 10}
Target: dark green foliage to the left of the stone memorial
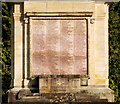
{"x": 6, "y": 49}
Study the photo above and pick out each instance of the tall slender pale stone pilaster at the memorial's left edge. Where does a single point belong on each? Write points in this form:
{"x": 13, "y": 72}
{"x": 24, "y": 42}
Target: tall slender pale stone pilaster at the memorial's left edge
{"x": 18, "y": 46}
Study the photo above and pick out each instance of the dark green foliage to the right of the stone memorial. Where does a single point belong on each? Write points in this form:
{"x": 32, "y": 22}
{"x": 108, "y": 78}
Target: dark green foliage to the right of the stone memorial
{"x": 114, "y": 48}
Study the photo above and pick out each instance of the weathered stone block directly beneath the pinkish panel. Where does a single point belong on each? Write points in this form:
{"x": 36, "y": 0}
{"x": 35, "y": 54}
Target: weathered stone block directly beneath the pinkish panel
{"x": 62, "y": 83}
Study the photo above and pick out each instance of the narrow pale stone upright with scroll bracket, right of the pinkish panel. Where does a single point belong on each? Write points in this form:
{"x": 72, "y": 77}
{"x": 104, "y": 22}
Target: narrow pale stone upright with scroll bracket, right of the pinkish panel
{"x": 91, "y": 63}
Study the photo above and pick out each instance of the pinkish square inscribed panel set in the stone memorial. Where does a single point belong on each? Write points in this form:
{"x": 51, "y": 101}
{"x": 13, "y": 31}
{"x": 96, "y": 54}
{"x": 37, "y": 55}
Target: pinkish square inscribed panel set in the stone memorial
{"x": 58, "y": 47}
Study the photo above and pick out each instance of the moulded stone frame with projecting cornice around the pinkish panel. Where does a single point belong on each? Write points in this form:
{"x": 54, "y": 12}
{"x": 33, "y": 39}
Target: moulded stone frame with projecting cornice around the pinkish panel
{"x": 57, "y": 15}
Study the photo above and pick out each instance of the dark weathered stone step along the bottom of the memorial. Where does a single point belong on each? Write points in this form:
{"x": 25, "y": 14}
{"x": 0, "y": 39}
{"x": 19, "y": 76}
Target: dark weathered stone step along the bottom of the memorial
{"x": 61, "y": 98}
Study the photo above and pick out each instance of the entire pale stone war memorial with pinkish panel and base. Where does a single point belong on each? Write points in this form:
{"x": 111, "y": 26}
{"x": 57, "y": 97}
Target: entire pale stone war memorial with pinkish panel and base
{"x": 60, "y": 52}
